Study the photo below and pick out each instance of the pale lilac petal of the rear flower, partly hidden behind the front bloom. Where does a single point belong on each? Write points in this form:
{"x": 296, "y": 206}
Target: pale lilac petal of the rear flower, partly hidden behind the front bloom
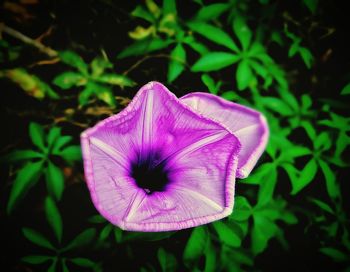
{"x": 248, "y": 125}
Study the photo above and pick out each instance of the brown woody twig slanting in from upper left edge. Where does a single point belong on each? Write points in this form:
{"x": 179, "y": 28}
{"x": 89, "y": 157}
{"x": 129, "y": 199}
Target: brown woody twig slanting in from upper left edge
{"x": 35, "y": 43}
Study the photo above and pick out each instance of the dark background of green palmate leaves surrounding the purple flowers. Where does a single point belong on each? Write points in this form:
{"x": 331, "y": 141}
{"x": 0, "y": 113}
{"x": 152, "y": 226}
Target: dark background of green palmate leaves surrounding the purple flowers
{"x": 66, "y": 65}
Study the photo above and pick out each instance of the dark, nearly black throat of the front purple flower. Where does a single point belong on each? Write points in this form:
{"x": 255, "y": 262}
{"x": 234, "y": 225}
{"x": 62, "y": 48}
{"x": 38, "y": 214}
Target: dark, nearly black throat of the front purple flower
{"x": 149, "y": 174}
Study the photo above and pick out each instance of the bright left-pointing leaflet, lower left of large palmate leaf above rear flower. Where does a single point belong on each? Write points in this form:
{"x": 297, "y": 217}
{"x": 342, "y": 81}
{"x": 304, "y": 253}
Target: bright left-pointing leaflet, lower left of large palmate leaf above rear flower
{"x": 214, "y": 61}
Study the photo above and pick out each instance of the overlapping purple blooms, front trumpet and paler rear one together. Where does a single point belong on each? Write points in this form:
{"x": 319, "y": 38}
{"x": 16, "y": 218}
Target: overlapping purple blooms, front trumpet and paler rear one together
{"x": 165, "y": 163}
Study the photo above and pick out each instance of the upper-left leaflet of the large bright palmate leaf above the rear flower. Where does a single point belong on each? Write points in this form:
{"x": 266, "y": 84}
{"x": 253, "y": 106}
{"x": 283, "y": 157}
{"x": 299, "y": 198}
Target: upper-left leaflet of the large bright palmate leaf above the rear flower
{"x": 214, "y": 34}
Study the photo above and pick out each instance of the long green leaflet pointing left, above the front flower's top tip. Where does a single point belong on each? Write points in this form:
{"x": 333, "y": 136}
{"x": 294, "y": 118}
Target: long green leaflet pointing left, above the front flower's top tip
{"x": 144, "y": 46}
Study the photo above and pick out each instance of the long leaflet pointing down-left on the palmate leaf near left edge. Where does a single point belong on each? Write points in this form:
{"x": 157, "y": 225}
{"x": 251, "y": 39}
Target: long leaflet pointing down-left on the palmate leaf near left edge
{"x": 25, "y": 179}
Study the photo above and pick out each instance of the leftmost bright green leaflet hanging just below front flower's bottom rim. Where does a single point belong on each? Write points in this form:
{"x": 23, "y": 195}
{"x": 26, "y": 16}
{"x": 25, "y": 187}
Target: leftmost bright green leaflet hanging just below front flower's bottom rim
{"x": 195, "y": 245}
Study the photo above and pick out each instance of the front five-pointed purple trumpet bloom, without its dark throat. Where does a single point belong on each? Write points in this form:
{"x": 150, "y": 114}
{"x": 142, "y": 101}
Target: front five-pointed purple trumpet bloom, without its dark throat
{"x": 199, "y": 153}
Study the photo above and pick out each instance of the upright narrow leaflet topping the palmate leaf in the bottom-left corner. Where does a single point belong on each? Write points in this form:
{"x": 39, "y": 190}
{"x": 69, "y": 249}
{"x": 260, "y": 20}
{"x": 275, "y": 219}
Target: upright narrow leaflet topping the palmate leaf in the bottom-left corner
{"x": 53, "y": 216}
